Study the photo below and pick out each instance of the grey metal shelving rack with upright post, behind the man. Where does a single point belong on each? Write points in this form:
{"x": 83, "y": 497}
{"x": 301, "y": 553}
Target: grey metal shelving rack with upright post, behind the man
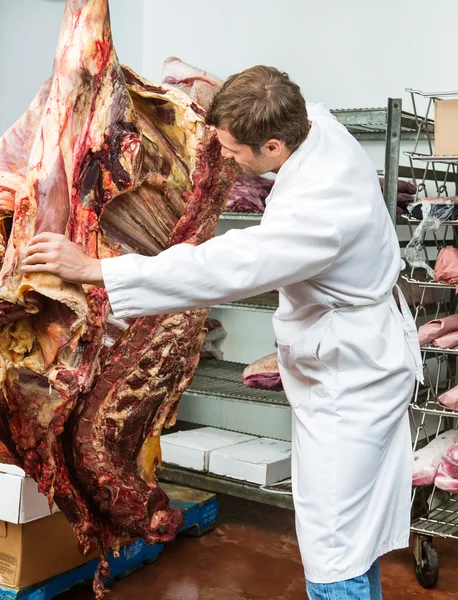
{"x": 220, "y": 379}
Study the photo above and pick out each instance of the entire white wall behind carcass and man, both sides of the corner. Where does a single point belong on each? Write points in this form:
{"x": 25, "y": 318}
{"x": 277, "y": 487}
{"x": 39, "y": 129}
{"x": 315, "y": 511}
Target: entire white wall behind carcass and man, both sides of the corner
{"x": 346, "y": 54}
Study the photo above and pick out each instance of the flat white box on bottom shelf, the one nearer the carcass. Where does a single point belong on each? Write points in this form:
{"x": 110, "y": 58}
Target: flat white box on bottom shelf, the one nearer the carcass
{"x": 191, "y": 449}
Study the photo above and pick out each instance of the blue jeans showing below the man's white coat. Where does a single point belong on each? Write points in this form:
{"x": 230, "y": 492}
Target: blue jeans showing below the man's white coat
{"x": 365, "y": 587}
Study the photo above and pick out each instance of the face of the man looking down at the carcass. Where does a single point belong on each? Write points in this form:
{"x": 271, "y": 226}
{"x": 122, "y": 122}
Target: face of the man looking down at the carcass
{"x": 251, "y": 164}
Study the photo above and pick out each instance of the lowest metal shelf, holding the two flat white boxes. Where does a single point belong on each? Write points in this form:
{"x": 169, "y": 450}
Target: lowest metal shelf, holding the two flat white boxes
{"x": 225, "y": 485}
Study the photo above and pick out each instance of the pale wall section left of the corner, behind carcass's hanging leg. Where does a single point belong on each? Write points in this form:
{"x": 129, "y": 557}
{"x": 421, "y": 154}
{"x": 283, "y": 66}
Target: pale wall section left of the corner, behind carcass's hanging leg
{"x": 29, "y": 30}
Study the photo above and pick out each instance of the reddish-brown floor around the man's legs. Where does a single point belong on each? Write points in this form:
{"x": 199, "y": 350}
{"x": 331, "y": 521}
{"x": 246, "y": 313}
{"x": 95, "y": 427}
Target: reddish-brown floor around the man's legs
{"x": 253, "y": 555}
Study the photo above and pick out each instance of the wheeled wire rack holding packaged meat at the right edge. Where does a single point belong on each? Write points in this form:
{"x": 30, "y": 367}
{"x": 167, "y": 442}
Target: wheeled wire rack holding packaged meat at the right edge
{"x": 434, "y": 512}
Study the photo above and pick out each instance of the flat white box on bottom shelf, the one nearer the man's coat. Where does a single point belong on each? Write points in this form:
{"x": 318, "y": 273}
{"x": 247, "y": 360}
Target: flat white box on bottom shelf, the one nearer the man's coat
{"x": 263, "y": 461}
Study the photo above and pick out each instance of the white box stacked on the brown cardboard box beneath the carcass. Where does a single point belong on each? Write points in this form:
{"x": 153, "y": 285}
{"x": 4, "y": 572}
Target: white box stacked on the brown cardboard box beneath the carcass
{"x": 20, "y": 500}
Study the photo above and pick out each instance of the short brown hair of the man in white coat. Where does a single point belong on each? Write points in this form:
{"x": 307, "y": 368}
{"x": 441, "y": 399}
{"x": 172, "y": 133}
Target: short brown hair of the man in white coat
{"x": 259, "y": 104}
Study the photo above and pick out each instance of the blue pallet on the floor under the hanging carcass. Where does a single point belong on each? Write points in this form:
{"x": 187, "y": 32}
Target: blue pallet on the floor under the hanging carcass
{"x": 200, "y": 510}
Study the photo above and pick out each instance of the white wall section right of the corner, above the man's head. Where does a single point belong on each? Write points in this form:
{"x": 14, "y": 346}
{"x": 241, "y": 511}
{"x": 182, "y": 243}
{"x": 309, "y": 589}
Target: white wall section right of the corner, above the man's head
{"x": 347, "y": 54}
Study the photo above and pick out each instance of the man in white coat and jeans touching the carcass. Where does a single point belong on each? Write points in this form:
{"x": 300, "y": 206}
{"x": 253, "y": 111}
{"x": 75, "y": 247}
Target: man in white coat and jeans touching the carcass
{"x": 347, "y": 356}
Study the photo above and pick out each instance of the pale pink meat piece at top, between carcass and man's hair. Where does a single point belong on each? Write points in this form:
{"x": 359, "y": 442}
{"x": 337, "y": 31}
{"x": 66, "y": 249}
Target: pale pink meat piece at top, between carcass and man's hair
{"x": 200, "y": 85}
